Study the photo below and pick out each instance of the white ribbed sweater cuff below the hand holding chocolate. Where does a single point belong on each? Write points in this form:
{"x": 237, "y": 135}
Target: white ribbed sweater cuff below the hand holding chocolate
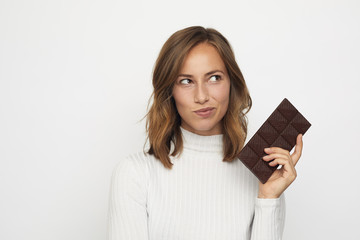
{"x": 269, "y": 219}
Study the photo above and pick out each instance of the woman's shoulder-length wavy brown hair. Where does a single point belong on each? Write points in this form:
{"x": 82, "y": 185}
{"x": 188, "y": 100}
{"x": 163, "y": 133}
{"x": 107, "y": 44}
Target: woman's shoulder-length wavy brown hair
{"x": 163, "y": 120}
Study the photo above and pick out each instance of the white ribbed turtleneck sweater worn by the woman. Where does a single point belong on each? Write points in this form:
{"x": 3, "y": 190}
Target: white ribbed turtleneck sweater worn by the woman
{"x": 201, "y": 197}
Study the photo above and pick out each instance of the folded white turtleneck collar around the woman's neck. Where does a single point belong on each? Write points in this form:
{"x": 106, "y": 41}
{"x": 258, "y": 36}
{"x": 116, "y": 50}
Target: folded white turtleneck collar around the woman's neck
{"x": 213, "y": 143}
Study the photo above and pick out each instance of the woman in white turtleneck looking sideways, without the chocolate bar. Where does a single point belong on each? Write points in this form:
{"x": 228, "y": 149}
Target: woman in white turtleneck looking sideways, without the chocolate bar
{"x": 190, "y": 184}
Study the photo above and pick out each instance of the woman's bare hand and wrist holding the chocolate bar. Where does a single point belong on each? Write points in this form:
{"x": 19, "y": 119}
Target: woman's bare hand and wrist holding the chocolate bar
{"x": 283, "y": 177}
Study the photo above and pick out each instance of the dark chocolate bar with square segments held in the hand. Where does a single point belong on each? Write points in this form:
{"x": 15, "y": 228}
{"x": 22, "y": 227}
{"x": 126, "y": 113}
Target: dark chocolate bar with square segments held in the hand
{"x": 279, "y": 130}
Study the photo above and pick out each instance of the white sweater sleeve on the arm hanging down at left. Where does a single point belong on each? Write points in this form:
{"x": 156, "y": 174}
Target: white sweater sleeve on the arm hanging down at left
{"x": 127, "y": 217}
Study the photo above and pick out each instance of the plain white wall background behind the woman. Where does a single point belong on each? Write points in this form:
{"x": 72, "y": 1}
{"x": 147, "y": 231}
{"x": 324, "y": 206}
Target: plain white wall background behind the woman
{"x": 75, "y": 78}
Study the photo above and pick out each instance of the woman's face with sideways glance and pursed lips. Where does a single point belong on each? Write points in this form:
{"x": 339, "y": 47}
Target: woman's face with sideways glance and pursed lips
{"x": 203, "y": 83}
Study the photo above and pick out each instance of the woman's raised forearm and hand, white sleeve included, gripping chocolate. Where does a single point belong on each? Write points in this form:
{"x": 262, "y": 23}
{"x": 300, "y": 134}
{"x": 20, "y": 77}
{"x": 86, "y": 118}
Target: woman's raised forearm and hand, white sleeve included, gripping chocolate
{"x": 269, "y": 217}
